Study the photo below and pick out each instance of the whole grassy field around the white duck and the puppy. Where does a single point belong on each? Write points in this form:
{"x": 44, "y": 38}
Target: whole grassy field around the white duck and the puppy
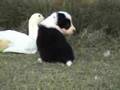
{"x": 96, "y": 46}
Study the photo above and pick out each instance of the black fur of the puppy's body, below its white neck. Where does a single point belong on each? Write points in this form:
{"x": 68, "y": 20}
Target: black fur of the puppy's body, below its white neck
{"x": 52, "y": 45}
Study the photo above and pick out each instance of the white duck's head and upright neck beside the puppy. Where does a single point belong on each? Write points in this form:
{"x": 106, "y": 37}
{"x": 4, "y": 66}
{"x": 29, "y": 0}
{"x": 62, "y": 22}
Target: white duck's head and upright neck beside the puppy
{"x": 34, "y": 21}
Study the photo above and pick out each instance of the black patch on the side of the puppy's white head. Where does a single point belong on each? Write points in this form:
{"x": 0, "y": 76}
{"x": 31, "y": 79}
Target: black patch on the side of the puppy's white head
{"x": 62, "y": 21}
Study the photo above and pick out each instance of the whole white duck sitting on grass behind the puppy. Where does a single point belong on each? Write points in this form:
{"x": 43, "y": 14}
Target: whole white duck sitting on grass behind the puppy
{"x": 13, "y": 41}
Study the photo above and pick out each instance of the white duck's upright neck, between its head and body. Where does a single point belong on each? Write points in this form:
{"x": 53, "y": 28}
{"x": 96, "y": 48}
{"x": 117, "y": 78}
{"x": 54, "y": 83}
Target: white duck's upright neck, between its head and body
{"x": 32, "y": 30}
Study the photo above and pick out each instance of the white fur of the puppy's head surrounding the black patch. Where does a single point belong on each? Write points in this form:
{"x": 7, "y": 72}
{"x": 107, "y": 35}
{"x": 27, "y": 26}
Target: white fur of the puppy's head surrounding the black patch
{"x": 51, "y": 21}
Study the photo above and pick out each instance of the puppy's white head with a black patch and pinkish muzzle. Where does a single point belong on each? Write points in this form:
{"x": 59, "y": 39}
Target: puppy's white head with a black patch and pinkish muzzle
{"x": 62, "y": 21}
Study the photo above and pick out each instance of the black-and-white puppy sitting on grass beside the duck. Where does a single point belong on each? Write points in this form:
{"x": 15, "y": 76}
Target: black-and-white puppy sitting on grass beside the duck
{"x": 51, "y": 42}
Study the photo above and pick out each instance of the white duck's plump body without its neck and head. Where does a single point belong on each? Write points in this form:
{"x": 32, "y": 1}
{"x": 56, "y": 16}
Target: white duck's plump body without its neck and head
{"x": 17, "y": 42}
